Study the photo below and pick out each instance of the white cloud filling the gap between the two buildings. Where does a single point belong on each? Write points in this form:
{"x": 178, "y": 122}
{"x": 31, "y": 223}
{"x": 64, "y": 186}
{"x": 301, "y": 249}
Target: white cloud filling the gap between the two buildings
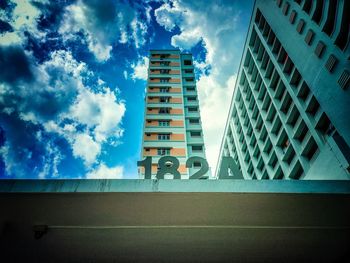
{"x": 216, "y": 26}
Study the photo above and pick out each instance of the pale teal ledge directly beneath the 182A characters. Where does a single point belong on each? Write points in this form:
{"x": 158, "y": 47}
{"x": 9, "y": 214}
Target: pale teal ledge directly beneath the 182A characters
{"x": 190, "y": 186}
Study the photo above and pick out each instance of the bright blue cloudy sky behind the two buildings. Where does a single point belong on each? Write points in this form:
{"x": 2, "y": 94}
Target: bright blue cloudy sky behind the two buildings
{"x": 73, "y": 78}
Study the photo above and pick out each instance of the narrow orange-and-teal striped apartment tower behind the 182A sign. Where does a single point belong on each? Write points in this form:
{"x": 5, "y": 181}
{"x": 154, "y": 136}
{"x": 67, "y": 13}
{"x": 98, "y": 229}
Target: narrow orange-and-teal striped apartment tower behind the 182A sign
{"x": 172, "y": 123}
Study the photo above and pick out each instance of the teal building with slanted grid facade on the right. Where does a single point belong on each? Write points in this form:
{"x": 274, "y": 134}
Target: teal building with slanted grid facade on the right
{"x": 290, "y": 112}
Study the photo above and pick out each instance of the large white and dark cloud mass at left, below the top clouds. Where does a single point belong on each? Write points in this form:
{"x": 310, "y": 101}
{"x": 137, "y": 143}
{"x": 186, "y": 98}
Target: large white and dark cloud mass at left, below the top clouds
{"x": 57, "y": 102}
